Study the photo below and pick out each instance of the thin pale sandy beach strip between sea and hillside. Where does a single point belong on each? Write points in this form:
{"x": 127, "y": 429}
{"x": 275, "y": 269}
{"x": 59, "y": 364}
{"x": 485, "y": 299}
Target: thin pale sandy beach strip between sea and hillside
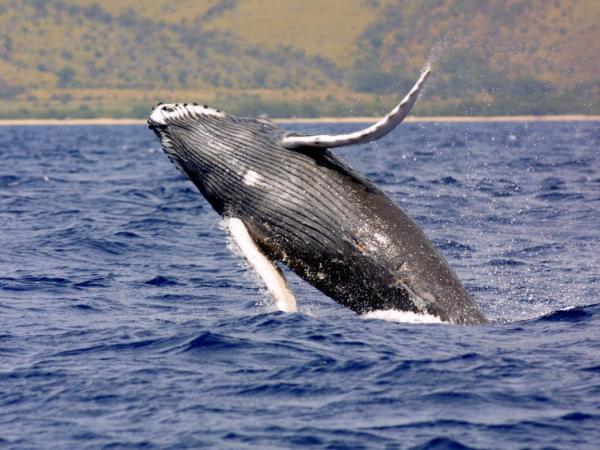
{"x": 413, "y": 119}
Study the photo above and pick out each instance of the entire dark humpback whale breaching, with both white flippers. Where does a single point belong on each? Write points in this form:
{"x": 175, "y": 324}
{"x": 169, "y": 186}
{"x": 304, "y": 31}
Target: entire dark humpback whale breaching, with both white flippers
{"x": 287, "y": 199}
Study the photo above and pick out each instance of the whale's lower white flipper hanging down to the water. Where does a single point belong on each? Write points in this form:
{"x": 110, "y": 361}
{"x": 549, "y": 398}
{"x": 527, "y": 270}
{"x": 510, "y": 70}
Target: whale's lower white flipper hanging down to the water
{"x": 266, "y": 270}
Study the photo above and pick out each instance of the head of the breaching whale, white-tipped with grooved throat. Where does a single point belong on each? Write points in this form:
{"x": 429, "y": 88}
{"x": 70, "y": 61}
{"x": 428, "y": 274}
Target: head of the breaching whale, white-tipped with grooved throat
{"x": 215, "y": 149}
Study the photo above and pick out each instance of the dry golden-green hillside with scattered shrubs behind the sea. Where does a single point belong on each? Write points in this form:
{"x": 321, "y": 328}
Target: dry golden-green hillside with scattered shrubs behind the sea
{"x": 85, "y": 58}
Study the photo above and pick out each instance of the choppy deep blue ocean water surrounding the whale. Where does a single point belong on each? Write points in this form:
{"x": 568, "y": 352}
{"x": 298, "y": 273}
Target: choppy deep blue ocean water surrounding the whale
{"x": 126, "y": 321}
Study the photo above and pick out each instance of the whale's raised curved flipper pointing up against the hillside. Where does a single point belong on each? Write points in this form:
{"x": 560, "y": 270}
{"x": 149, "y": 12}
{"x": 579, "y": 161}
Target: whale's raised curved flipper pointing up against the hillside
{"x": 375, "y": 131}
